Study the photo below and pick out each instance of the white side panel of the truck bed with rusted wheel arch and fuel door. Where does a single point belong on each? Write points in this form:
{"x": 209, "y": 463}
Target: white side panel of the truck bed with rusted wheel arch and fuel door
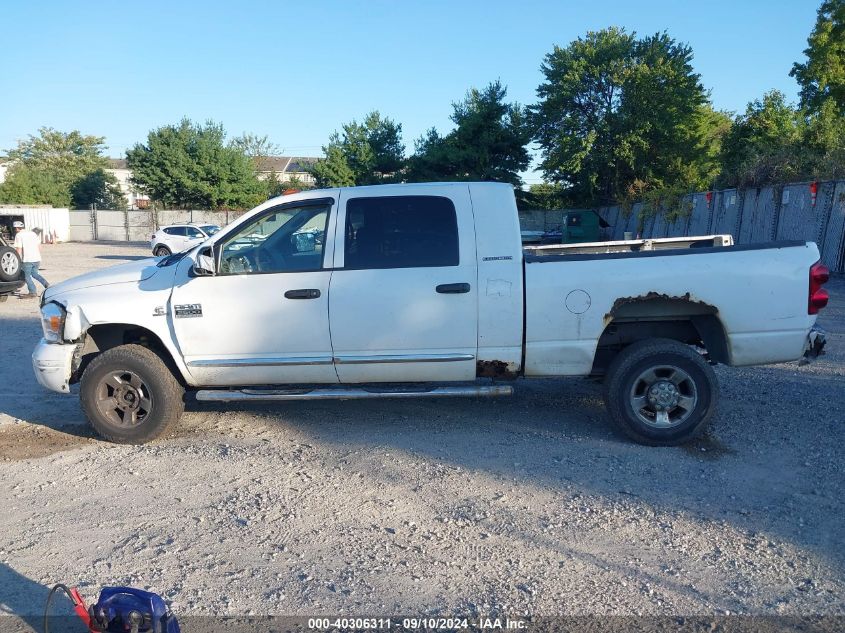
{"x": 760, "y": 297}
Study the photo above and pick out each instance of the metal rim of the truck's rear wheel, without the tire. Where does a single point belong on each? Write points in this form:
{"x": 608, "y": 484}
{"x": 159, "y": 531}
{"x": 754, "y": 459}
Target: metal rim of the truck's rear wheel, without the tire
{"x": 663, "y": 396}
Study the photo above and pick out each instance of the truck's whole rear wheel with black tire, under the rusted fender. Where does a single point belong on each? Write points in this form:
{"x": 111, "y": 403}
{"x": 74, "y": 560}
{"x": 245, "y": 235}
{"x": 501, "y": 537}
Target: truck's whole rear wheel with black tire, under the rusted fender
{"x": 677, "y": 387}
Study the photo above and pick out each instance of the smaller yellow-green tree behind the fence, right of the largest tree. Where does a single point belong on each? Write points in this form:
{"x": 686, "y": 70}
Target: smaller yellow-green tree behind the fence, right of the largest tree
{"x": 765, "y": 145}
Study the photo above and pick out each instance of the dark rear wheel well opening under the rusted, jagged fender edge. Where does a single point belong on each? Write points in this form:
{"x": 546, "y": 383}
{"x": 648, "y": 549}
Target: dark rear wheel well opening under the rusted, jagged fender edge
{"x": 678, "y": 318}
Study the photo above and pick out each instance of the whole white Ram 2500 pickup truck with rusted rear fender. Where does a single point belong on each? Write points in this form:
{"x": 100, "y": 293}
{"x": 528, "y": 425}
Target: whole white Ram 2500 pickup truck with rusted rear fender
{"x": 423, "y": 290}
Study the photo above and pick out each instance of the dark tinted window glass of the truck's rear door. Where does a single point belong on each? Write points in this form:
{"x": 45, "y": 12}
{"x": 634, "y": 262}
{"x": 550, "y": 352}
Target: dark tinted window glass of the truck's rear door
{"x": 401, "y": 232}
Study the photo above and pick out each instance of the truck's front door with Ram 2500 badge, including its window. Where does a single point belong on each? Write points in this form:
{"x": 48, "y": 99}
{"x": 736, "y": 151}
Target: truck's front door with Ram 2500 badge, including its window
{"x": 263, "y": 318}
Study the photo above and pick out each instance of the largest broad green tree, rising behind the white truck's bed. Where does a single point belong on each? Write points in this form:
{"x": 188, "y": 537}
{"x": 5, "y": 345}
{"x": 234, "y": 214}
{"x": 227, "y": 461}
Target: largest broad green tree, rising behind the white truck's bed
{"x": 616, "y": 110}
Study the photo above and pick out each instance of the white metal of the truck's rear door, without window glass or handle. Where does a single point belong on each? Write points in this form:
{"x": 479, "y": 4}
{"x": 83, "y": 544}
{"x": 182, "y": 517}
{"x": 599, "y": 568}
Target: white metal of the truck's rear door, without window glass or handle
{"x": 401, "y": 329}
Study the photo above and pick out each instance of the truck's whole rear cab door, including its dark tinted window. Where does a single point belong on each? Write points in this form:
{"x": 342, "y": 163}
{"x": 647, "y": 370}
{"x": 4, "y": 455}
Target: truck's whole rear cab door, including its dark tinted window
{"x": 403, "y": 294}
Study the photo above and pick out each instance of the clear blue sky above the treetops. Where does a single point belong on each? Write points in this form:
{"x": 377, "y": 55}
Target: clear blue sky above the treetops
{"x": 296, "y": 71}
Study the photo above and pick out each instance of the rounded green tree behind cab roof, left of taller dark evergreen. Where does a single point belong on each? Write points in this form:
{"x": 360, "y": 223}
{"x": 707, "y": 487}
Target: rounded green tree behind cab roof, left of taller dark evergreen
{"x": 365, "y": 153}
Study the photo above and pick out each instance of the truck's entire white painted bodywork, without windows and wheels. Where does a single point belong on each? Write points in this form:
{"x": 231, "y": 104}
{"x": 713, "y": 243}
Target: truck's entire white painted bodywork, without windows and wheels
{"x": 391, "y": 325}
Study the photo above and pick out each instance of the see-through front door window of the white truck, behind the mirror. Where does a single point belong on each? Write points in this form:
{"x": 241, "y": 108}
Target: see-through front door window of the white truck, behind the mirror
{"x": 286, "y": 239}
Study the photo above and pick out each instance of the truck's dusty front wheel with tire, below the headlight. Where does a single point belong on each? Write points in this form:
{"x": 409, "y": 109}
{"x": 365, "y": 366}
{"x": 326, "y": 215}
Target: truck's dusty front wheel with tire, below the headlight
{"x": 130, "y": 396}
